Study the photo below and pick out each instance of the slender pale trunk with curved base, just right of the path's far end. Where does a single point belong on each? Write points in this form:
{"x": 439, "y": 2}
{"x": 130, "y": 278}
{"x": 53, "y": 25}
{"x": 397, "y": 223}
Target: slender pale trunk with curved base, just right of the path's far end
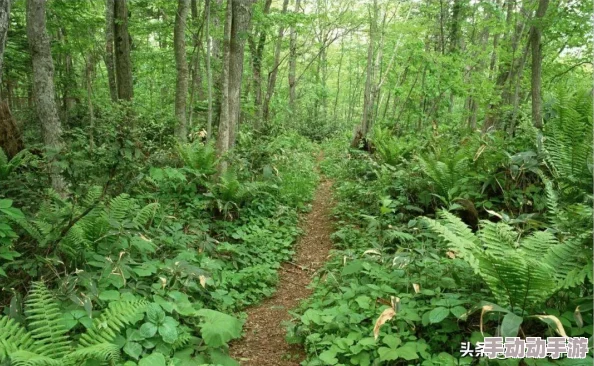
{"x": 362, "y": 130}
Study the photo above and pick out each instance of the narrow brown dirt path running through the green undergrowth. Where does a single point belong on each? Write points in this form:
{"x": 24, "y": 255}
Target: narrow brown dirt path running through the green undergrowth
{"x": 264, "y": 341}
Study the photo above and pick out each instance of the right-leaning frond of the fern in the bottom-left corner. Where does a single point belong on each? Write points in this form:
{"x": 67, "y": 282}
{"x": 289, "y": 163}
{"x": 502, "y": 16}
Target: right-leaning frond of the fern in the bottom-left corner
{"x": 111, "y": 321}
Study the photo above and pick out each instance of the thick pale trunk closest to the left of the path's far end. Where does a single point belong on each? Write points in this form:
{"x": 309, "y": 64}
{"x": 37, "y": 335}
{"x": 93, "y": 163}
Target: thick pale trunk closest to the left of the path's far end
{"x": 242, "y": 15}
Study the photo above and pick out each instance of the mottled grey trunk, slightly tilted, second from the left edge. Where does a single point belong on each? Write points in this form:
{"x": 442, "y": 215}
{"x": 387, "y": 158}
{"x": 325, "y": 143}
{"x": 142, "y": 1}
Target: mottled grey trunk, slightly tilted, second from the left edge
{"x": 44, "y": 89}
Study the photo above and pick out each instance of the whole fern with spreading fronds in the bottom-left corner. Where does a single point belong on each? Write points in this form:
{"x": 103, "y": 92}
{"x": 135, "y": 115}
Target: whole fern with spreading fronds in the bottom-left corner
{"x": 45, "y": 340}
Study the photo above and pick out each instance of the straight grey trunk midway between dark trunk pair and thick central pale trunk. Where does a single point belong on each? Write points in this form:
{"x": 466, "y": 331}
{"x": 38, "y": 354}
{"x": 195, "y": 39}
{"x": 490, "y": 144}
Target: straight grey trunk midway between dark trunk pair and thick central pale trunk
{"x": 181, "y": 65}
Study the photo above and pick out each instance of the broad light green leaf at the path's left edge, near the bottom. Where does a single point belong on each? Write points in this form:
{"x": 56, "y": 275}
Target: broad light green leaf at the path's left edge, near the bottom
{"x": 218, "y": 328}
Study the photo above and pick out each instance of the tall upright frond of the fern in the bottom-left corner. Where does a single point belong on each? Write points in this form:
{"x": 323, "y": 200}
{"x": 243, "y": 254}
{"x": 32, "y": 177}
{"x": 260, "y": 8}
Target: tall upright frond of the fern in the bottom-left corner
{"x": 45, "y": 322}
